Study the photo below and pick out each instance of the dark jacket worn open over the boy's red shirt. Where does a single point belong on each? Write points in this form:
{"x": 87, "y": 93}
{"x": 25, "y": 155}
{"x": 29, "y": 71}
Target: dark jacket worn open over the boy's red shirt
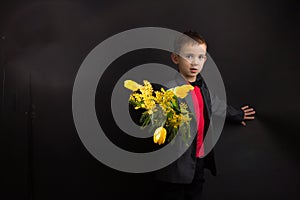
{"x": 182, "y": 170}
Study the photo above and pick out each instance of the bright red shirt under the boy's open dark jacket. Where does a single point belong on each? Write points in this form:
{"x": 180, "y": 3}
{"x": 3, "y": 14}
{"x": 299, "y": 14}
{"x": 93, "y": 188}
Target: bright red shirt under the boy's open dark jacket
{"x": 199, "y": 106}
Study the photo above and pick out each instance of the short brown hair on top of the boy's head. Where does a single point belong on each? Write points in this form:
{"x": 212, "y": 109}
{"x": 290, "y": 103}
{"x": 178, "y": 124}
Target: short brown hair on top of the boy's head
{"x": 187, "y": 37}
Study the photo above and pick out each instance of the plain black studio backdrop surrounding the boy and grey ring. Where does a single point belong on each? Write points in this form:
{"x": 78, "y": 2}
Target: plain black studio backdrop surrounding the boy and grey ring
{"x": 255, "y": 45}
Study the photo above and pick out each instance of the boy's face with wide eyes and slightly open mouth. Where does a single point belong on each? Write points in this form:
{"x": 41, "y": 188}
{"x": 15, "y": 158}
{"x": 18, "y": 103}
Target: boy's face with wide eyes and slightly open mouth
{"x": 191, "y": 60}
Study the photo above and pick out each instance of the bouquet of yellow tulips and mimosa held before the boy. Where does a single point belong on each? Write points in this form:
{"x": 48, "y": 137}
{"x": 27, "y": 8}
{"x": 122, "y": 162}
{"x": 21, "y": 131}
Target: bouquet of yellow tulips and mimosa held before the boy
{"x": 162, "y": 109}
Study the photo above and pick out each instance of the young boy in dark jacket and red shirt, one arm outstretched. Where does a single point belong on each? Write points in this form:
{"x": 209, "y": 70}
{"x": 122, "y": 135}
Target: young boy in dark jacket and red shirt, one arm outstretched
{"x": 184, "y": 178}
